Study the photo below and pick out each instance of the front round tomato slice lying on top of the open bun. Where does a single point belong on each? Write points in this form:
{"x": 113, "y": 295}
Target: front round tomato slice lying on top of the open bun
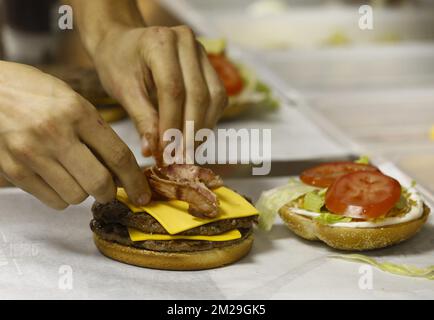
{"x": 363, "y": 194}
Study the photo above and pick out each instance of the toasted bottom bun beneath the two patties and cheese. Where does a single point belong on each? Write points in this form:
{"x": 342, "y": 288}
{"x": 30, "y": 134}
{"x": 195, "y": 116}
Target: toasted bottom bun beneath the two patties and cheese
{"x": 198, "y": 260}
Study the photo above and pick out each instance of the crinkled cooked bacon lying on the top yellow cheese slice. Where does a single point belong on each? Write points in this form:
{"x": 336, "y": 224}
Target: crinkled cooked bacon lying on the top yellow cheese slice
{"x": 187, "y": 183}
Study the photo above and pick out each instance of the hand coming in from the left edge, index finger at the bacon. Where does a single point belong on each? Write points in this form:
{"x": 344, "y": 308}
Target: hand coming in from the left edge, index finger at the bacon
{"x": 54, "y": 144}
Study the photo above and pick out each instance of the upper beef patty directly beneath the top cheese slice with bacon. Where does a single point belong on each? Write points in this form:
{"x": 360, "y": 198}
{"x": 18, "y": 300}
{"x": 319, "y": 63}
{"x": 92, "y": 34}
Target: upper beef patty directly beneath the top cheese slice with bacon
{"x": 115, "y": 212}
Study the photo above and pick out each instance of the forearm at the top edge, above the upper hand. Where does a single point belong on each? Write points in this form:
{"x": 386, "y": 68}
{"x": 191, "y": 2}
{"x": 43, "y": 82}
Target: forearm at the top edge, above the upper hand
{"x": 96, "y": 18}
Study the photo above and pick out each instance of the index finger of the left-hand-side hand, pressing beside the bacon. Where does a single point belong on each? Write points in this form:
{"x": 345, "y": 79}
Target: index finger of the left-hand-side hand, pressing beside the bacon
{"x": 116, "y": 156}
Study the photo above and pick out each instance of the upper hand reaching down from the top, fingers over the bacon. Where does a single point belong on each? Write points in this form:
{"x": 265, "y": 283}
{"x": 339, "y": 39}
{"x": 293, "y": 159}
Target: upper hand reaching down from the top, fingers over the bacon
{"x": 163, "y": 78}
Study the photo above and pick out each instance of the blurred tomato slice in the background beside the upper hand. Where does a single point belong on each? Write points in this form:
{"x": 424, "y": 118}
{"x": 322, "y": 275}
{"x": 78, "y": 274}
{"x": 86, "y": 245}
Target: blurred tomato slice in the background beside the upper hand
{"x": 228, "y": 73}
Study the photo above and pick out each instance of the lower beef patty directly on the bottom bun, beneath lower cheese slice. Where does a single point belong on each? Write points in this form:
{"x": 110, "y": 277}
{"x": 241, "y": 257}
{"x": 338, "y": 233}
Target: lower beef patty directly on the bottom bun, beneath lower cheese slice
{"x": 119, "y": 234}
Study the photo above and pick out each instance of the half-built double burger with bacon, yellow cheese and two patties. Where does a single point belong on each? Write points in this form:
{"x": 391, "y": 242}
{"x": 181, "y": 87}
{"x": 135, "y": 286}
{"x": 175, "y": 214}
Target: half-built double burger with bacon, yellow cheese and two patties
{"x": 192, "y": 223}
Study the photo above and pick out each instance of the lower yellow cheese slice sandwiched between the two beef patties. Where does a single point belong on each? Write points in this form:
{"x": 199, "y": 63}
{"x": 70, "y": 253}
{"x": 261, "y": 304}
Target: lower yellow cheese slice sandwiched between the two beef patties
{"x": 137, "y": 235}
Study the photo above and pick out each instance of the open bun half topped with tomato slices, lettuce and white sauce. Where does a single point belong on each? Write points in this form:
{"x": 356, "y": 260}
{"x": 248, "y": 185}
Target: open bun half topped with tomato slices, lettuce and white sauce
{"x": 349, "y": 206}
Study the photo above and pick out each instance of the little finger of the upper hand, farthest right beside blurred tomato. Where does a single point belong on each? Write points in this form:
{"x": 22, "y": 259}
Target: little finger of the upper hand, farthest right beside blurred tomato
{"x": 218, "y": 95}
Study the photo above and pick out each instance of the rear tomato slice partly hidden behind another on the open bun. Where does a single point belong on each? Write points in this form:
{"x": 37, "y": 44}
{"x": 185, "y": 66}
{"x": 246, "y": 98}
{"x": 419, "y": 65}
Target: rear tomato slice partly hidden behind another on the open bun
{"x": 325, "y": 174}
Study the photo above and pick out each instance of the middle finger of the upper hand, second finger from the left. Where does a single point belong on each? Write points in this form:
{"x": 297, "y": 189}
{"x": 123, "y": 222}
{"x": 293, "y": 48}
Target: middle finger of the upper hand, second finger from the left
{"x": 167, "y": 74}
